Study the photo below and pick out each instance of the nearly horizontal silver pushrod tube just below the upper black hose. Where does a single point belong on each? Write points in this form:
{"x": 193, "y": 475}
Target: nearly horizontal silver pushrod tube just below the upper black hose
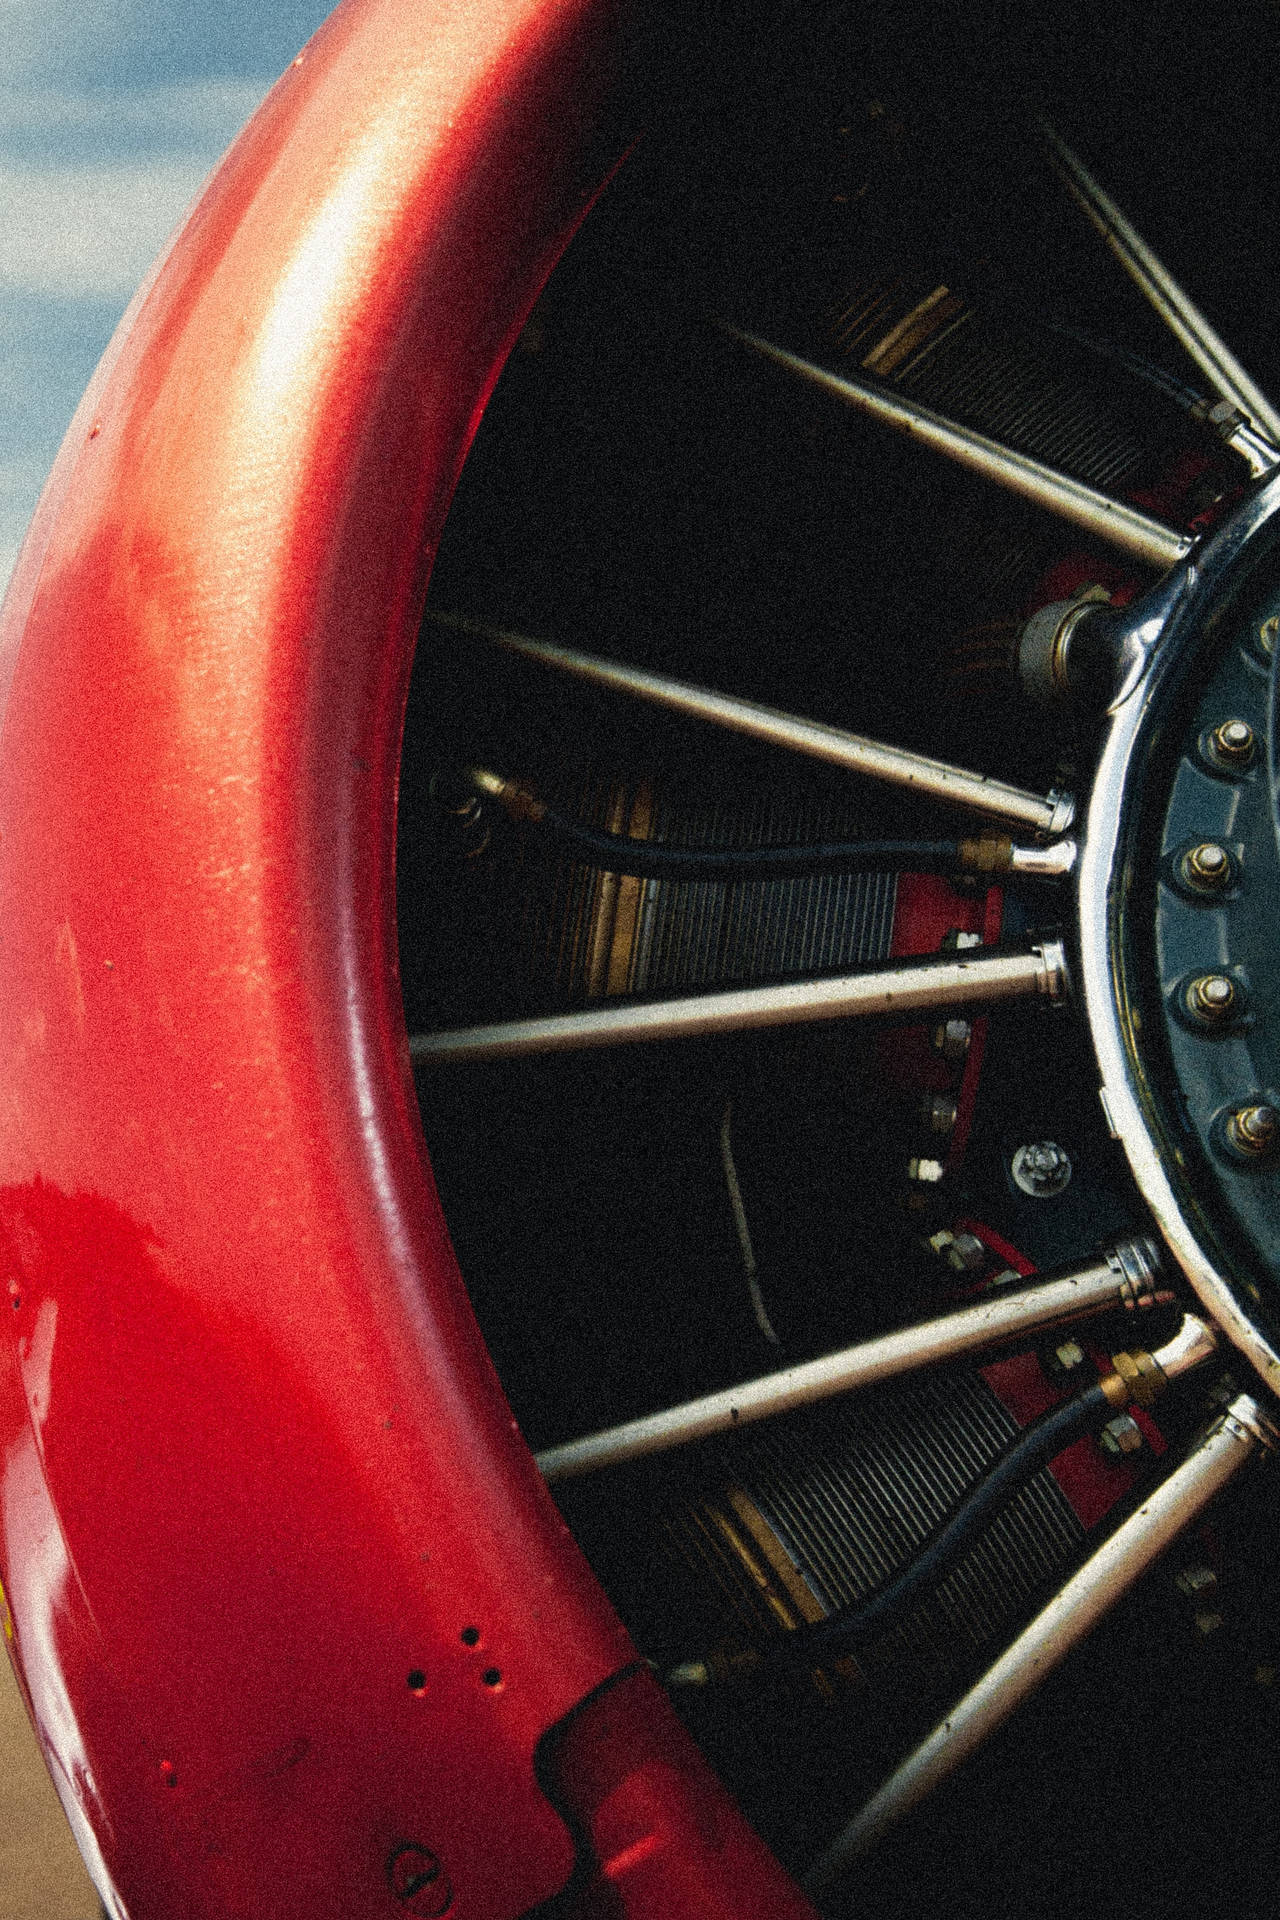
{"x": 889, "y": 994}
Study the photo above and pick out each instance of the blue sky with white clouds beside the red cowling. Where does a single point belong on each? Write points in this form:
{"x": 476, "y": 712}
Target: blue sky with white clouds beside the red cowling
{"x": 112, "y": 112}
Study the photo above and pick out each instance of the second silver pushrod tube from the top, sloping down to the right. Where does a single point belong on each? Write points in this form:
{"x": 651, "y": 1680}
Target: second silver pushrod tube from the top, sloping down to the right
{"x": 1072, "y": 500}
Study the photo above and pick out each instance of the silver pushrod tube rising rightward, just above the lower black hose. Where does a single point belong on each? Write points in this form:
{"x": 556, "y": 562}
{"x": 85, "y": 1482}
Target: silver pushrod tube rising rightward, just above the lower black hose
{"x": 1005, "y": 1314}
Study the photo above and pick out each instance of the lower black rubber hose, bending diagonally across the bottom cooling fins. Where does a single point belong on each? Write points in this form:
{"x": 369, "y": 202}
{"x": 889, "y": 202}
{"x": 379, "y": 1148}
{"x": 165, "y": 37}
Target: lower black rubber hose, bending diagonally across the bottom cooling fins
{"x": 1024, "y": 1458}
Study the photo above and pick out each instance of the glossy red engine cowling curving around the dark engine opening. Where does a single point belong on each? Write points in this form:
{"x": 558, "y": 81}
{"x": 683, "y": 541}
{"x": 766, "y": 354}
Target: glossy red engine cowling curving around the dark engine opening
{"x": 260, "y": 1491}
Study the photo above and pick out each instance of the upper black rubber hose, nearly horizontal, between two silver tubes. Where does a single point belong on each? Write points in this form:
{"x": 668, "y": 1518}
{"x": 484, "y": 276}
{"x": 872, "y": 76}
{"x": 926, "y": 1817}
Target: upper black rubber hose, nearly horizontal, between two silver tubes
{"x": 619, "y": 853}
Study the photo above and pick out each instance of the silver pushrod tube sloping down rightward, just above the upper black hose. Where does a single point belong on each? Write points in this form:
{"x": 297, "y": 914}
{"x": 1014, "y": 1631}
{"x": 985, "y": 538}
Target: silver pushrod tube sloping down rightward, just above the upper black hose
{"x": 937, "y": 780}
